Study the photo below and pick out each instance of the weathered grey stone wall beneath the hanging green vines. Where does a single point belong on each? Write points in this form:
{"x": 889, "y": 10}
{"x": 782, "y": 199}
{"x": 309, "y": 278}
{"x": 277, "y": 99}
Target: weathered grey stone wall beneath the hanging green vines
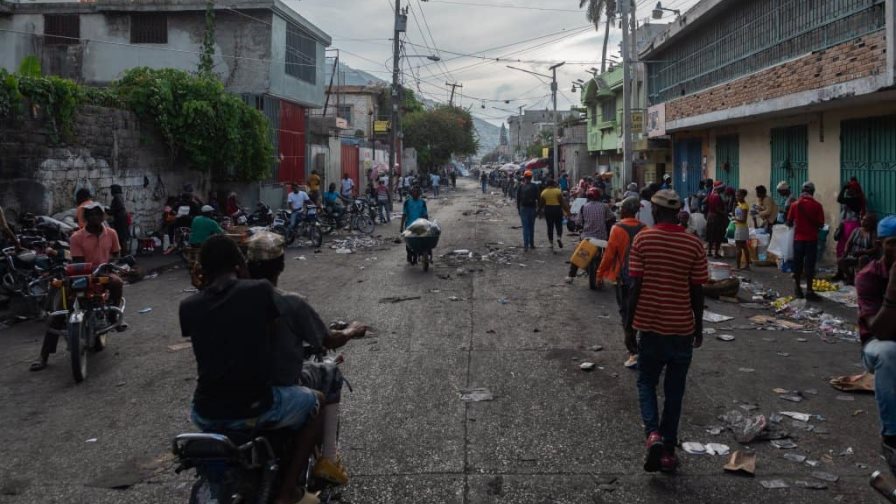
{"x": 110, "y": 147}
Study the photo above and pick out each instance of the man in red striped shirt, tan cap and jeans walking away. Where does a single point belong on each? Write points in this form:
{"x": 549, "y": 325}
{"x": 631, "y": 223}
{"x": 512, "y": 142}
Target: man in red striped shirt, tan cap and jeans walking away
{"x": 668, "y": 268}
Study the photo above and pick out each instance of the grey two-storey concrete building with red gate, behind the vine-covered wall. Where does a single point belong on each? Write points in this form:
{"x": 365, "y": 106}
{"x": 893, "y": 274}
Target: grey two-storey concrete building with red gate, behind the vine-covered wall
{"x": 264, "y": 51}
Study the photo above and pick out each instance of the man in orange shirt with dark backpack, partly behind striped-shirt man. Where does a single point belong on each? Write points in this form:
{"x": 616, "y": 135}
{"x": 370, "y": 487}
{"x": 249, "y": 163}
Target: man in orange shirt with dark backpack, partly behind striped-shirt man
{"x": 615, "y": 266}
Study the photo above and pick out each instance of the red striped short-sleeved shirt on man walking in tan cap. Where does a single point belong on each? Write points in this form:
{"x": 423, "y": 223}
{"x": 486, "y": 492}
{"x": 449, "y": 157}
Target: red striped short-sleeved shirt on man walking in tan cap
{"x": 669, "y": 261}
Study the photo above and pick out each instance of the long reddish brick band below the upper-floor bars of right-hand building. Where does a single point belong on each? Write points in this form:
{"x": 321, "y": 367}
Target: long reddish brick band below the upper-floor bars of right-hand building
{"x": 859, "y": 58}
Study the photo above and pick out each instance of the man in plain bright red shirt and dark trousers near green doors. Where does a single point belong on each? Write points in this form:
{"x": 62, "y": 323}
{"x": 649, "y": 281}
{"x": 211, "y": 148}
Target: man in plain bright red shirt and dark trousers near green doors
{"x": 806, "y": 217}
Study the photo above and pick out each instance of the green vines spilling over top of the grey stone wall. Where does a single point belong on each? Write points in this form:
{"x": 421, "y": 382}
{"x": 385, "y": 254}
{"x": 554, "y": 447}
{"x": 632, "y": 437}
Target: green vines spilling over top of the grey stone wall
{"x": 211, "y": 128}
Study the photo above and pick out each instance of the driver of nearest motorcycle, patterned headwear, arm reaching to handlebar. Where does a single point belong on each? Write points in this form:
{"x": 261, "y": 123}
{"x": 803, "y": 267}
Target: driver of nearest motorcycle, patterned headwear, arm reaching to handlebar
{"x": 299, "y": 326}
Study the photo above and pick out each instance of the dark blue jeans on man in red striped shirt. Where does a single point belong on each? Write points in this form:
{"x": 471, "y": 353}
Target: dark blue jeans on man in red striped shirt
{"x": 655, "y": 352}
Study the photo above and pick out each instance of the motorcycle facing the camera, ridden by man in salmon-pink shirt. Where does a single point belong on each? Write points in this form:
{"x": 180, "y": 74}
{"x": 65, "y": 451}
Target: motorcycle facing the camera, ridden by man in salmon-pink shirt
{"x": 85, "y": 305}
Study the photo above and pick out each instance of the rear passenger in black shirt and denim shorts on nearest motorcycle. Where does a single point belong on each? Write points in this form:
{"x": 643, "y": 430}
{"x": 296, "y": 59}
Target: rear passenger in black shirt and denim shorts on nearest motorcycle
{"x": 230, "y": 324}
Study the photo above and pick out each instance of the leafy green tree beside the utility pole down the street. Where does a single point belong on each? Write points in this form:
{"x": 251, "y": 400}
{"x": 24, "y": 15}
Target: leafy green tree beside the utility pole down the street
{"x": 439, "y": 134}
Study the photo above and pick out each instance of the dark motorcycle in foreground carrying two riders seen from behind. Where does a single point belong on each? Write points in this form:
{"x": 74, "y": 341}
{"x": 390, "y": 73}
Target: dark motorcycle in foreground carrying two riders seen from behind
{"x": 242, "y": 466}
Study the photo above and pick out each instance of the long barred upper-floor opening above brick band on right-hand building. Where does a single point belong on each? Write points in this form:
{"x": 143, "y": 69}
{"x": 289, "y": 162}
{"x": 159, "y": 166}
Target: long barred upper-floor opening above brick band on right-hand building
{"x": 750, "y": 36}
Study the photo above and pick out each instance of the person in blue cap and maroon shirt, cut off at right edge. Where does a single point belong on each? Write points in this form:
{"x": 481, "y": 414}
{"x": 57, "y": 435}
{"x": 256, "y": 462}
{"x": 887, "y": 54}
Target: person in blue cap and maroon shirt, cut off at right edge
{"x": 876, "y": 291}
